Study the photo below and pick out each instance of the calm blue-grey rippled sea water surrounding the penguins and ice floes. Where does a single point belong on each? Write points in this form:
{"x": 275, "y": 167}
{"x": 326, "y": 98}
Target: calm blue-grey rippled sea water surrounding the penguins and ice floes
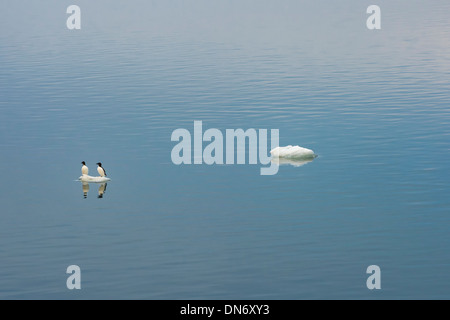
{"x": 373, "y": 104}
